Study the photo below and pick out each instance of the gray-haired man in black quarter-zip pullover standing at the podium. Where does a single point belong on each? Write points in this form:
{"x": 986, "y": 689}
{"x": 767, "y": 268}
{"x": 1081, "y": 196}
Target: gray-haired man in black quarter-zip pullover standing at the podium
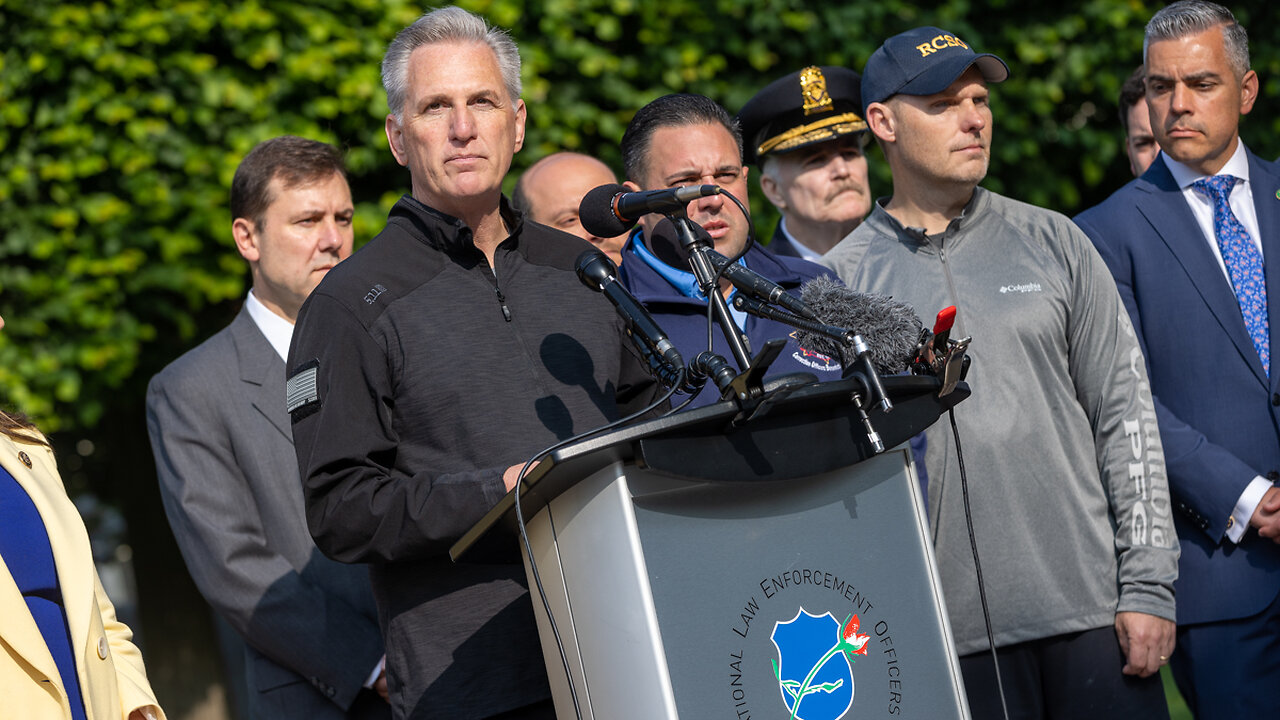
{"x": 429, "y": 367}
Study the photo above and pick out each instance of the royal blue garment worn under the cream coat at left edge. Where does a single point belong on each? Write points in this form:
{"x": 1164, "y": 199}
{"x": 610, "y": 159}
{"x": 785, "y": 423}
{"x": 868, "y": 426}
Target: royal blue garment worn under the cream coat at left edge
{"x": 26, "y": 550}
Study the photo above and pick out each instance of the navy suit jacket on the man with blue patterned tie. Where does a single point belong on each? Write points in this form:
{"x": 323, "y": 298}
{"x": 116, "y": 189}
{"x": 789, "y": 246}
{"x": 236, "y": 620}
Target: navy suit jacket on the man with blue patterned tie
{"x": 1219, "y": 413}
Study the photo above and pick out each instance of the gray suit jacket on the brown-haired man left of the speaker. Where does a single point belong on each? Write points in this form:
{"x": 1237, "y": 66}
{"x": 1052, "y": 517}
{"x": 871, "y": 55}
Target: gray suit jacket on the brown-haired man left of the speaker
{"x": 230, "y": 482}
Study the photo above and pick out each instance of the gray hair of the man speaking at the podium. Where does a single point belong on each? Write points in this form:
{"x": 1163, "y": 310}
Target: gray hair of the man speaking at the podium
{"x": 446, "y": 25}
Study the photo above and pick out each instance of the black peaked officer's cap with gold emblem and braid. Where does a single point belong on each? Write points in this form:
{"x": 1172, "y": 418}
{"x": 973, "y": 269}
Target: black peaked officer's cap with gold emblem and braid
{"x": 816, "y": 104}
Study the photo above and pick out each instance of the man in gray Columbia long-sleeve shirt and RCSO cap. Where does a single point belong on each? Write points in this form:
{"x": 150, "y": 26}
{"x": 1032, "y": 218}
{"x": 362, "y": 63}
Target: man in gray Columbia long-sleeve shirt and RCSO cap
{"x": 1067, "y": 475}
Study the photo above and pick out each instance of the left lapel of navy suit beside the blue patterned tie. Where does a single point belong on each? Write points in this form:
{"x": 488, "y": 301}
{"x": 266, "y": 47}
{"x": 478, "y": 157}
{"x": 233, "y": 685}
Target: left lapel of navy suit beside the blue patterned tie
{"x": 1167, "y": 211}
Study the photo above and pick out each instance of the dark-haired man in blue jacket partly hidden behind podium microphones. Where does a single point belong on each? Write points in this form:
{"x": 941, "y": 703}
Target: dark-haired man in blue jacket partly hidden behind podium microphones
{"x": 682, "y": 140}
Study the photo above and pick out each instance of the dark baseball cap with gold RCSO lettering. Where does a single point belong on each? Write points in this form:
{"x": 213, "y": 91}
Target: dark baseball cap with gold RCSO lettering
{"x": 924, "y": 61}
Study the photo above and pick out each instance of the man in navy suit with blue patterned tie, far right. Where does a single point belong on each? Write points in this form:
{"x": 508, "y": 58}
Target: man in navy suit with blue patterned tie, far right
{"x": 1218, "y": 407}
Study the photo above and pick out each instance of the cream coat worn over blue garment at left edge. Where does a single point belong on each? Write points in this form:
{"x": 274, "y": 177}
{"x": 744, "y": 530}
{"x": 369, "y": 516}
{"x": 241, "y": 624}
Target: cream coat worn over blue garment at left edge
{"x": 113, "y": 682}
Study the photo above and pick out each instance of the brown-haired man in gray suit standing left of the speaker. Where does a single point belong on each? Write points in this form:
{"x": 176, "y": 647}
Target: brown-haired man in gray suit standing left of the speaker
{"x": 225, "y": 455}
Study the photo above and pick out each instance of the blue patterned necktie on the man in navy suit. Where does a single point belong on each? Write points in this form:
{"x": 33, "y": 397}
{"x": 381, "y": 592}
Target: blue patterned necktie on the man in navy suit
{"x": 1244, "y": 263}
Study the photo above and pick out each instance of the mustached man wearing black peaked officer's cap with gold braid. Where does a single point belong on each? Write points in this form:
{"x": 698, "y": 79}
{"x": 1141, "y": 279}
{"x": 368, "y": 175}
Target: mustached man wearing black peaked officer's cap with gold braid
{"x": 807, "y": 135}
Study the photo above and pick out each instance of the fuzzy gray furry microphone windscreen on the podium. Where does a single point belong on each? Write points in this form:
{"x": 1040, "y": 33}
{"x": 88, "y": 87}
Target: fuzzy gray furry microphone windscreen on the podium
{"x": 890, "y": 329}
